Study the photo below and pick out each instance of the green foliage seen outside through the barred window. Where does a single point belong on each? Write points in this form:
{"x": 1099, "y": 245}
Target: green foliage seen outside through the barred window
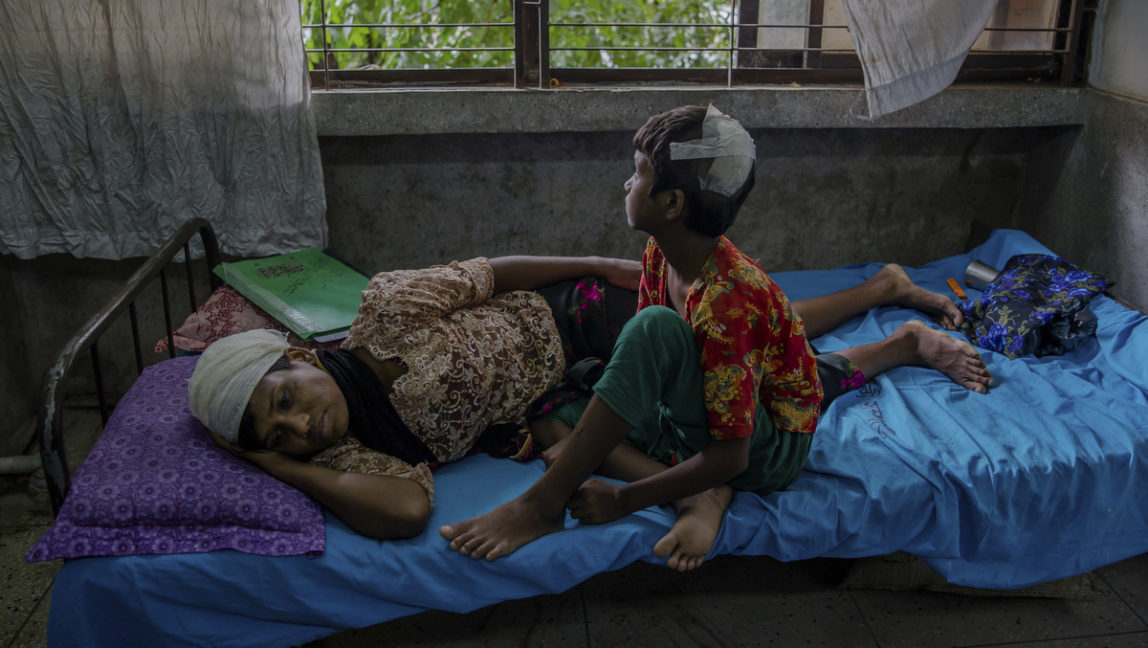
{"x": 462, "y": 45}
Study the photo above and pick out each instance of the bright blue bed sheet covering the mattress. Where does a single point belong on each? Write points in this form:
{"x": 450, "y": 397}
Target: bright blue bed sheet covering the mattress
{"x": 1044, "y": 477}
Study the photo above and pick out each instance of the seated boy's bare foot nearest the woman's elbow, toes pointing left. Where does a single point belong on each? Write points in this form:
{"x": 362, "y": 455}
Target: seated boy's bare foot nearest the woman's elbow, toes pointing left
{"x": 501, "y": 531}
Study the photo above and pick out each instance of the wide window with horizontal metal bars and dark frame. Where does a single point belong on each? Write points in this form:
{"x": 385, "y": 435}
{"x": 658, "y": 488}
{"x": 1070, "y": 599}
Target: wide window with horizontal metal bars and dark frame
{"x": 568, "y": 43}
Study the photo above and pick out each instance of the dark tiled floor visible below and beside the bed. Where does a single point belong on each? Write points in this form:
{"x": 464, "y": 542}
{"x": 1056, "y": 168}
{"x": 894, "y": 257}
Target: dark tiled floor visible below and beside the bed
{"x": 731, "y": 601}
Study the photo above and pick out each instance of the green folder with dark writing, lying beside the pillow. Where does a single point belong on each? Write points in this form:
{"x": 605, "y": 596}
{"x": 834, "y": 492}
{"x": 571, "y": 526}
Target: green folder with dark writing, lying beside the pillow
{"x": 308, "y": 291}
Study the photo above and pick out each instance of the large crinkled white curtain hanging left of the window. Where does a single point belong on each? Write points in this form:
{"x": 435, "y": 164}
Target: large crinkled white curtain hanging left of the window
{"x": 122, "y": 119}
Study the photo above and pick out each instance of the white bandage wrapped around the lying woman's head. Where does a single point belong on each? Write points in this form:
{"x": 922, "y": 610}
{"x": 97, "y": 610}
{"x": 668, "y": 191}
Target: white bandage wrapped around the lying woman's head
{"x": 228, "y": 373}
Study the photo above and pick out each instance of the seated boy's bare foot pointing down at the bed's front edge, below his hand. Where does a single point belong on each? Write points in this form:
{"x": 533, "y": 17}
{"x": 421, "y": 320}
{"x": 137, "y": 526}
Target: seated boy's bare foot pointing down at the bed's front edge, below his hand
{"x": 694, "y": 534}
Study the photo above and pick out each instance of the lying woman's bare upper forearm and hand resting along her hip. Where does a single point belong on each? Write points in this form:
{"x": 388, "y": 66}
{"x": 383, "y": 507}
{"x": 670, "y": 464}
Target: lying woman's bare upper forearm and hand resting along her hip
{"x": 531, "y": 273}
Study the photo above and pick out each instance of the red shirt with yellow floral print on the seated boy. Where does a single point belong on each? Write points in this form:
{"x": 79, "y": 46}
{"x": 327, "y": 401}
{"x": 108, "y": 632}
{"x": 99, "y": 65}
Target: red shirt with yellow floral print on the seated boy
{"x": 753, "y": 344}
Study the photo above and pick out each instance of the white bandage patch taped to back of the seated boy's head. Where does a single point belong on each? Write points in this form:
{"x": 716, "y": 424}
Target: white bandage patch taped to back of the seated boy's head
{"x": 725, "y": 142}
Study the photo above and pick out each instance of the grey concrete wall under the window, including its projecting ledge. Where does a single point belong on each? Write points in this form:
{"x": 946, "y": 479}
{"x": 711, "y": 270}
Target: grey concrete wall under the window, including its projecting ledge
{"x": 417, "y": 179}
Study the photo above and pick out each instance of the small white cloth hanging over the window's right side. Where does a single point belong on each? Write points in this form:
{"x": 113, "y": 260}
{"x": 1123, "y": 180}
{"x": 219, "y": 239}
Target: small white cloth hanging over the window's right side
{"x": 912, "y": 50}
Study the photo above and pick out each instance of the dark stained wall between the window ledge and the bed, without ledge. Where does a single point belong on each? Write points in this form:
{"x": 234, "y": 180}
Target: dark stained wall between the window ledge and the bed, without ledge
{"x": 824, "y": 198}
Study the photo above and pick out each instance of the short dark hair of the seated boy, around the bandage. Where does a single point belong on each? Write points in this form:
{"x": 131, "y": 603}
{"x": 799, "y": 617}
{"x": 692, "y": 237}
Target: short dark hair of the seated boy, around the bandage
{"x": 710, "y": 213}
